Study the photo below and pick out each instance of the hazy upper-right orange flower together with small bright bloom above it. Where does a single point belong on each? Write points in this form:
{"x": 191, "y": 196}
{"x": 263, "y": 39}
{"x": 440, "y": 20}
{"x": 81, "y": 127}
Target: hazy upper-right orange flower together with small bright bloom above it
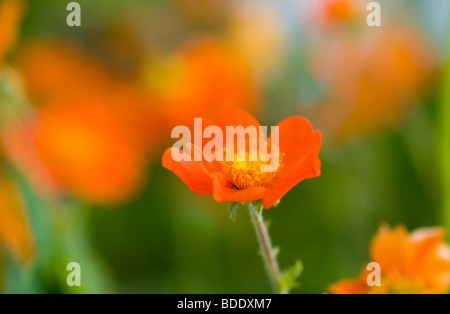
{"x": 371, "y": 76}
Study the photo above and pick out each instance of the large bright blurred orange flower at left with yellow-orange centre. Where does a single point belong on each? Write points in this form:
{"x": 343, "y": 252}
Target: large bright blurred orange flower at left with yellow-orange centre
{"x": 80, "y": 146}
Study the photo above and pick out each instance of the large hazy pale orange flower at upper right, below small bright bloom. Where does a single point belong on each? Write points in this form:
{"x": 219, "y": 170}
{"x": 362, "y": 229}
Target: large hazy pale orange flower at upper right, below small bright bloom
{"x": 370, "y": 81}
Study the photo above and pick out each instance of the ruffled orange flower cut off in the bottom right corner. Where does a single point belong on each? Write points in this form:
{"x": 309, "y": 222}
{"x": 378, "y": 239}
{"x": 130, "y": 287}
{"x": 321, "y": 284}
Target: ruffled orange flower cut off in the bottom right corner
{"x": 418, "y": 262}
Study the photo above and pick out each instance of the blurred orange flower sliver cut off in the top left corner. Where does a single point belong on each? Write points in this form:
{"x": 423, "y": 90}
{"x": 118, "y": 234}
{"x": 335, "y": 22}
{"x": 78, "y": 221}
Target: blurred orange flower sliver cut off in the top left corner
{"x": 11, "y": 12}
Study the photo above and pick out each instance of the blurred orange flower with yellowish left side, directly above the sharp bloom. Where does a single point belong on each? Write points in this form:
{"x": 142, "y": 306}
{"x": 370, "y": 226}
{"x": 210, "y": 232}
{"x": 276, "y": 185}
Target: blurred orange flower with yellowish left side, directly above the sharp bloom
{"x": 202, "y": 79}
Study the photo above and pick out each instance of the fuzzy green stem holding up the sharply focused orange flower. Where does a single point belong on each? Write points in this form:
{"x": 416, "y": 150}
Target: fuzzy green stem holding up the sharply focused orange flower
{"x": 267, "y": 251}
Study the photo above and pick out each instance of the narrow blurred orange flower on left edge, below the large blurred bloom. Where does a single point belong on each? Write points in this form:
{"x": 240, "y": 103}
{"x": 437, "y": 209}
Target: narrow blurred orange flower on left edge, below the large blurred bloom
{"x": 14, "y": 230}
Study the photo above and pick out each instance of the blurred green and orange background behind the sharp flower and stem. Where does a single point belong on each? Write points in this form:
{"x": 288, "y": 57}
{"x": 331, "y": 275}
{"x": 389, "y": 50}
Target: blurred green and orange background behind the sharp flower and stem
{"x": 86, "y": 112}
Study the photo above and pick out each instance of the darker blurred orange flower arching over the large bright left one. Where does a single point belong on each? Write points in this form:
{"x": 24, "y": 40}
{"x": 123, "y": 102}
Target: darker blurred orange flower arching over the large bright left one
{"x": 63, "y": 70}
